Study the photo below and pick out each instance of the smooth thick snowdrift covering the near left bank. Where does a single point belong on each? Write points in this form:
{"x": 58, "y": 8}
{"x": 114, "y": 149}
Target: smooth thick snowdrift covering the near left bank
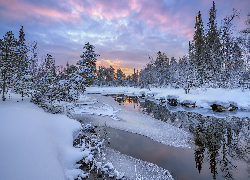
{"x": 35, "y": 144}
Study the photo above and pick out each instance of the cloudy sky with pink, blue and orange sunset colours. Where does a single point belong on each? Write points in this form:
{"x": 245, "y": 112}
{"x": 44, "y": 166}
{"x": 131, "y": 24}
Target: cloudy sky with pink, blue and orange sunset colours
{"x": 124, "y": 32}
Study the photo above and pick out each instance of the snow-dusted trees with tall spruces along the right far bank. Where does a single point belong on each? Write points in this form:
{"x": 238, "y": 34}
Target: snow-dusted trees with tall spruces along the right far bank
{"x": 217, "y": 58}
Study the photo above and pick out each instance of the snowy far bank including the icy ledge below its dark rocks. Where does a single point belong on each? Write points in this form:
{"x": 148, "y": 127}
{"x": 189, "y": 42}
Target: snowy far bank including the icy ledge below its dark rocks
{"x": 203, "y": 99}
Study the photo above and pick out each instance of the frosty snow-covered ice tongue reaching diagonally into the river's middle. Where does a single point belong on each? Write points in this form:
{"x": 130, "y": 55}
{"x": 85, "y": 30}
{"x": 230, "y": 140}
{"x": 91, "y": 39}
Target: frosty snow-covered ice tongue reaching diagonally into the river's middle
{"x": 123, "y": 118}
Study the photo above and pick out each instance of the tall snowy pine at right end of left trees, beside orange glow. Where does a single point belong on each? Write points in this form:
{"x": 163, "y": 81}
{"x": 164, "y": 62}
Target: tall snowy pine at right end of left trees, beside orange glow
{"x": 87, "y": 64}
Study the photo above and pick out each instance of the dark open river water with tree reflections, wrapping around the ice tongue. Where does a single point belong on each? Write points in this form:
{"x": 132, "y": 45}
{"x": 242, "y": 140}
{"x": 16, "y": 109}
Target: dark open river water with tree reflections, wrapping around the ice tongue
{"x": 222, "y": 145}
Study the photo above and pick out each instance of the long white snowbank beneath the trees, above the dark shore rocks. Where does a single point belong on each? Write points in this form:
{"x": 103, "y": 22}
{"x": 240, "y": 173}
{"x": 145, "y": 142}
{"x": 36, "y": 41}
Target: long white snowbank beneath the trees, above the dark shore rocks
{"x": 201, "y": 98}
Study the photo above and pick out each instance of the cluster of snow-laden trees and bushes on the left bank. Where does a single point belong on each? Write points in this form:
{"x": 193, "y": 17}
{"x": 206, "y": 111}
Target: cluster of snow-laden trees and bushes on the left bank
{"x": 43, "y": 81}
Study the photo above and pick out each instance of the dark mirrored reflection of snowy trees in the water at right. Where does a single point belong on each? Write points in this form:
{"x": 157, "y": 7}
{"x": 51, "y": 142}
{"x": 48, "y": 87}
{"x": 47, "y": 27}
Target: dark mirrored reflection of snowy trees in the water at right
{"x": 220, "y": 142}
